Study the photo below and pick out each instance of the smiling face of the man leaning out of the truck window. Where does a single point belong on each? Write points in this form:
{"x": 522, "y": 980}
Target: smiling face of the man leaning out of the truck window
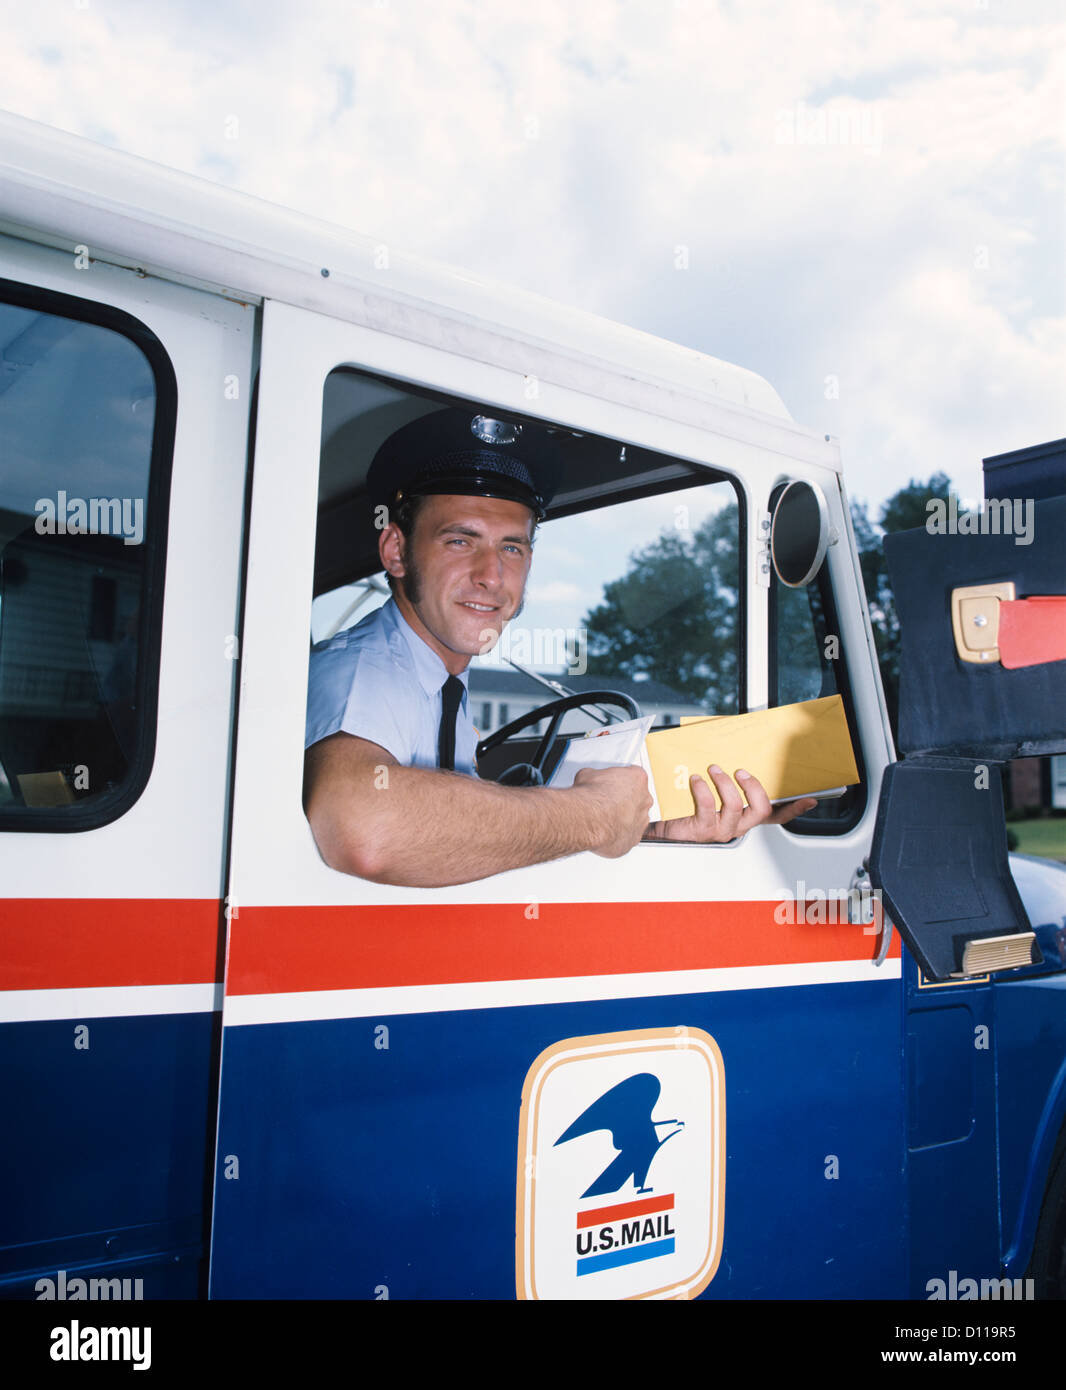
{"x": 464, "y": 572}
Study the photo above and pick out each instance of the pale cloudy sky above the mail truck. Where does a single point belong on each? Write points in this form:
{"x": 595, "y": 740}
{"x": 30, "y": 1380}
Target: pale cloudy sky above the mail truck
{"x": 862, "y": 202}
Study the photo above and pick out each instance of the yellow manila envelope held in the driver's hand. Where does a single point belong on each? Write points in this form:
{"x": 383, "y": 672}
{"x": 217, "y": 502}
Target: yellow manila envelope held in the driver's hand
{"x": 794, "y": 751}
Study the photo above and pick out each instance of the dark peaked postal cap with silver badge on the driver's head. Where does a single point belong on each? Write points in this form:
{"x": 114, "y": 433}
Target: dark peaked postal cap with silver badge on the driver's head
{"x": 457, "y": 452}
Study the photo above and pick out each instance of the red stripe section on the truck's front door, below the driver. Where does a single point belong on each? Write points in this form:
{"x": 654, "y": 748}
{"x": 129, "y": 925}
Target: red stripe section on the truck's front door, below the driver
{"x": 287, "y": 950}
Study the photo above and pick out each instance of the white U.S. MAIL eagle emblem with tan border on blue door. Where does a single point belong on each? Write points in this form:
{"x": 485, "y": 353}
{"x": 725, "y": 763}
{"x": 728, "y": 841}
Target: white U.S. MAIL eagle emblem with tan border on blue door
{"x": 622, "y": 1167}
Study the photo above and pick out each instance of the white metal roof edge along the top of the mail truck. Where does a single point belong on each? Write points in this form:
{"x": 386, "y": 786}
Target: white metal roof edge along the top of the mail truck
{"x": 66, "y": 191}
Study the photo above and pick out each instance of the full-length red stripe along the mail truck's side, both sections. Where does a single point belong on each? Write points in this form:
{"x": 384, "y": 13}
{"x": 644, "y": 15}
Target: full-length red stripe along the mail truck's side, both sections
{"x": 69, "y": 943}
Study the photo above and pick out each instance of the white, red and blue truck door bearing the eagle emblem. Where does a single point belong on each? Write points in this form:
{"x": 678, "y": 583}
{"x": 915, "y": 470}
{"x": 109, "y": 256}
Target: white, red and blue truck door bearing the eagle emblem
{"x": 384, "y": 1046}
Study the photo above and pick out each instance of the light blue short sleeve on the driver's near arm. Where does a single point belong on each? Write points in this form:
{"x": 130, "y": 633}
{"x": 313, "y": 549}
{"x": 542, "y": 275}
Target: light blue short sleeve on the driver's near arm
{"x": 358, "y": 693}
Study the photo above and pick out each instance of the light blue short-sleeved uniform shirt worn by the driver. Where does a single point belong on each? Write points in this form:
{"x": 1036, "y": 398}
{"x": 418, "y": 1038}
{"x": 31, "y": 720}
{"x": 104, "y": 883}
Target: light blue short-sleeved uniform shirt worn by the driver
{"x": 379, "y": 680}
